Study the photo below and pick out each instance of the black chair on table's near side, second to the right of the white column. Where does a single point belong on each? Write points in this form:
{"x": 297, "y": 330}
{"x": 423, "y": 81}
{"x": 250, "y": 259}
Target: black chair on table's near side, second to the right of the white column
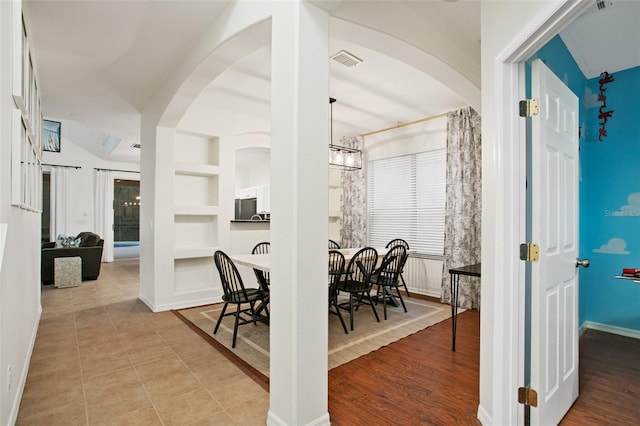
{"x": 357, "y": 281}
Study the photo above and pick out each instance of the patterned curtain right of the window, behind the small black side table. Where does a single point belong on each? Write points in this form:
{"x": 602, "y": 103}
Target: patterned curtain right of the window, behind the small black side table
{"x": 464, "y": 204}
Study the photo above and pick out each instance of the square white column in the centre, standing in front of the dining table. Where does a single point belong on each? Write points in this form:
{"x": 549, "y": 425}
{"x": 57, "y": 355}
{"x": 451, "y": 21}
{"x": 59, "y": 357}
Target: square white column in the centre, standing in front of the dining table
{"x": 299, "y": 215}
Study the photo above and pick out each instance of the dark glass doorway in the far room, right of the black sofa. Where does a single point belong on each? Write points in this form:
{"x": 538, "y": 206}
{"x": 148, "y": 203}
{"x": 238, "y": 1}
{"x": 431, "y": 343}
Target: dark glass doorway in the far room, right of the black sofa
{"x": 126, "y": 219}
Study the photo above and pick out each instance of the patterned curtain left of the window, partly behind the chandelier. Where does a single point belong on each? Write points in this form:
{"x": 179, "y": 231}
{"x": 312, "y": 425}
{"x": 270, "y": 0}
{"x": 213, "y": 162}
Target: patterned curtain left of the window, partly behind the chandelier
{"x": 354, "y": 200}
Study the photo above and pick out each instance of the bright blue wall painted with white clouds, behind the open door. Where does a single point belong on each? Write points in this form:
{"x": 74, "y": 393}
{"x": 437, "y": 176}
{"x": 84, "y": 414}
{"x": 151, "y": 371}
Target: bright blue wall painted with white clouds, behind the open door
{"x": 609, "y": 190}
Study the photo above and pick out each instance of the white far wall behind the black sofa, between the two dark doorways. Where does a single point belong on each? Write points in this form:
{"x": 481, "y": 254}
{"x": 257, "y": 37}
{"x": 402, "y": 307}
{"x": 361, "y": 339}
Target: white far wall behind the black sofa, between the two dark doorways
{"x": 74, "y": 138}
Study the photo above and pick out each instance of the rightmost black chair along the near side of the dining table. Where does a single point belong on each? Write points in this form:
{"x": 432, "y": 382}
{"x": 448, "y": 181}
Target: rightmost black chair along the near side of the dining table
{"x": 386, "y": 277}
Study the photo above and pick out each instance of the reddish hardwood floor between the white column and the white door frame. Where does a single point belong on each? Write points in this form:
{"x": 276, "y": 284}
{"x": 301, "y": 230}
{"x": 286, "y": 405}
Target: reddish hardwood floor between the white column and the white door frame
{"x": 417, "y": 380}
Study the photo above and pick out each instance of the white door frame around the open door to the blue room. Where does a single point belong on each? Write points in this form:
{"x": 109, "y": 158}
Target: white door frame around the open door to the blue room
{"x": 508, "y": 323}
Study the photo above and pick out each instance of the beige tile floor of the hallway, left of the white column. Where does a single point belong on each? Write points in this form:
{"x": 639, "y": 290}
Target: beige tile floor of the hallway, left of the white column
{"x": 101, "y": 357}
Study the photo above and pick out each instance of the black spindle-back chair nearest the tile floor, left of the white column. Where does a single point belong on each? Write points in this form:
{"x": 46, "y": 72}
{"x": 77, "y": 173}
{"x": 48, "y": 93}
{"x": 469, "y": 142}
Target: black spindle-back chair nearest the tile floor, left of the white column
{"x": 237, "y": 294}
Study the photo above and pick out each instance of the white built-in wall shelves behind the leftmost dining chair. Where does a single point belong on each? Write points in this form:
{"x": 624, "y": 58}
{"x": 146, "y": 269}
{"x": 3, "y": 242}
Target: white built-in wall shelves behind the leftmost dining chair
{"x": 195, "y": 208}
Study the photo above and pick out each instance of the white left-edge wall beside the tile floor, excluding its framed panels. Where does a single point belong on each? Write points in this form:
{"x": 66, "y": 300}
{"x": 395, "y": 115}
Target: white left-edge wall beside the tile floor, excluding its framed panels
{"x": 20, "y": 265}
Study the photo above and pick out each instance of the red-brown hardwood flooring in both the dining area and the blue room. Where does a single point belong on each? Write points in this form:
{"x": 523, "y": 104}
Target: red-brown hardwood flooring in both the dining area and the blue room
{"x": 418, "y": 380}
